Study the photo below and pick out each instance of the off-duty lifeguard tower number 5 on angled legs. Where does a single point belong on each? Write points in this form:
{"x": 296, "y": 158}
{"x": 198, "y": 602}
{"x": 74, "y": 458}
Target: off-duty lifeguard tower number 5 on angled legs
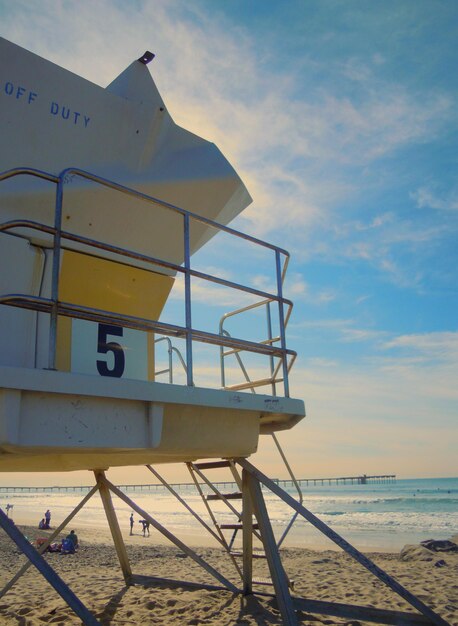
{"x": 105, "y": 203}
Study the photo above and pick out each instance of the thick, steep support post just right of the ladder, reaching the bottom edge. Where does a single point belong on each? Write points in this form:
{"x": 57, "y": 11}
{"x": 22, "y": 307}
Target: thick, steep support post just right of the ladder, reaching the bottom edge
{"x": 277, "y": 572}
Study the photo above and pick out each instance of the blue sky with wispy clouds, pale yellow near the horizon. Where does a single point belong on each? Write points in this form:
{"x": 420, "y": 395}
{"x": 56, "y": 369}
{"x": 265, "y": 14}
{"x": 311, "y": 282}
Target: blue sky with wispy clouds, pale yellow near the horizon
{"x": 342, "y": 120}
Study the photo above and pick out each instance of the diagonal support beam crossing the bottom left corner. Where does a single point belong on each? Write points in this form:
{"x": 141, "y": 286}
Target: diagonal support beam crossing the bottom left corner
{"x": 47, "y": 571}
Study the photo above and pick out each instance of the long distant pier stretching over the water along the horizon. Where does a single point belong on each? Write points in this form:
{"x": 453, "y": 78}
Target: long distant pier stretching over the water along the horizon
{"x": 364, "y": 479}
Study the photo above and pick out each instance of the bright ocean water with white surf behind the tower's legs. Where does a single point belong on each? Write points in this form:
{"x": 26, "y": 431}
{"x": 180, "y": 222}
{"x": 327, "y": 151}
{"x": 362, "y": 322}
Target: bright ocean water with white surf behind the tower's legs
{"x": 382, "y": 517}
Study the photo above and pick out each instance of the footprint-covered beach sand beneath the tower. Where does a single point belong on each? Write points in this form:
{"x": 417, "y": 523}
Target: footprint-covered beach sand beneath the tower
{"x": 95, "y": 576}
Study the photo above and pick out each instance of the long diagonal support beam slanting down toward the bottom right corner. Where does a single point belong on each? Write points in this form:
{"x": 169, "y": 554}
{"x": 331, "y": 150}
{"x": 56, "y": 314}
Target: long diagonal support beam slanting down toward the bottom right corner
{"x": 342, "y": 543}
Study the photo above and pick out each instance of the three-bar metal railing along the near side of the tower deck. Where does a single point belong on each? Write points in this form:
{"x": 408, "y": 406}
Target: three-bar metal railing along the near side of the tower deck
{"x": 55, "y": 307}
